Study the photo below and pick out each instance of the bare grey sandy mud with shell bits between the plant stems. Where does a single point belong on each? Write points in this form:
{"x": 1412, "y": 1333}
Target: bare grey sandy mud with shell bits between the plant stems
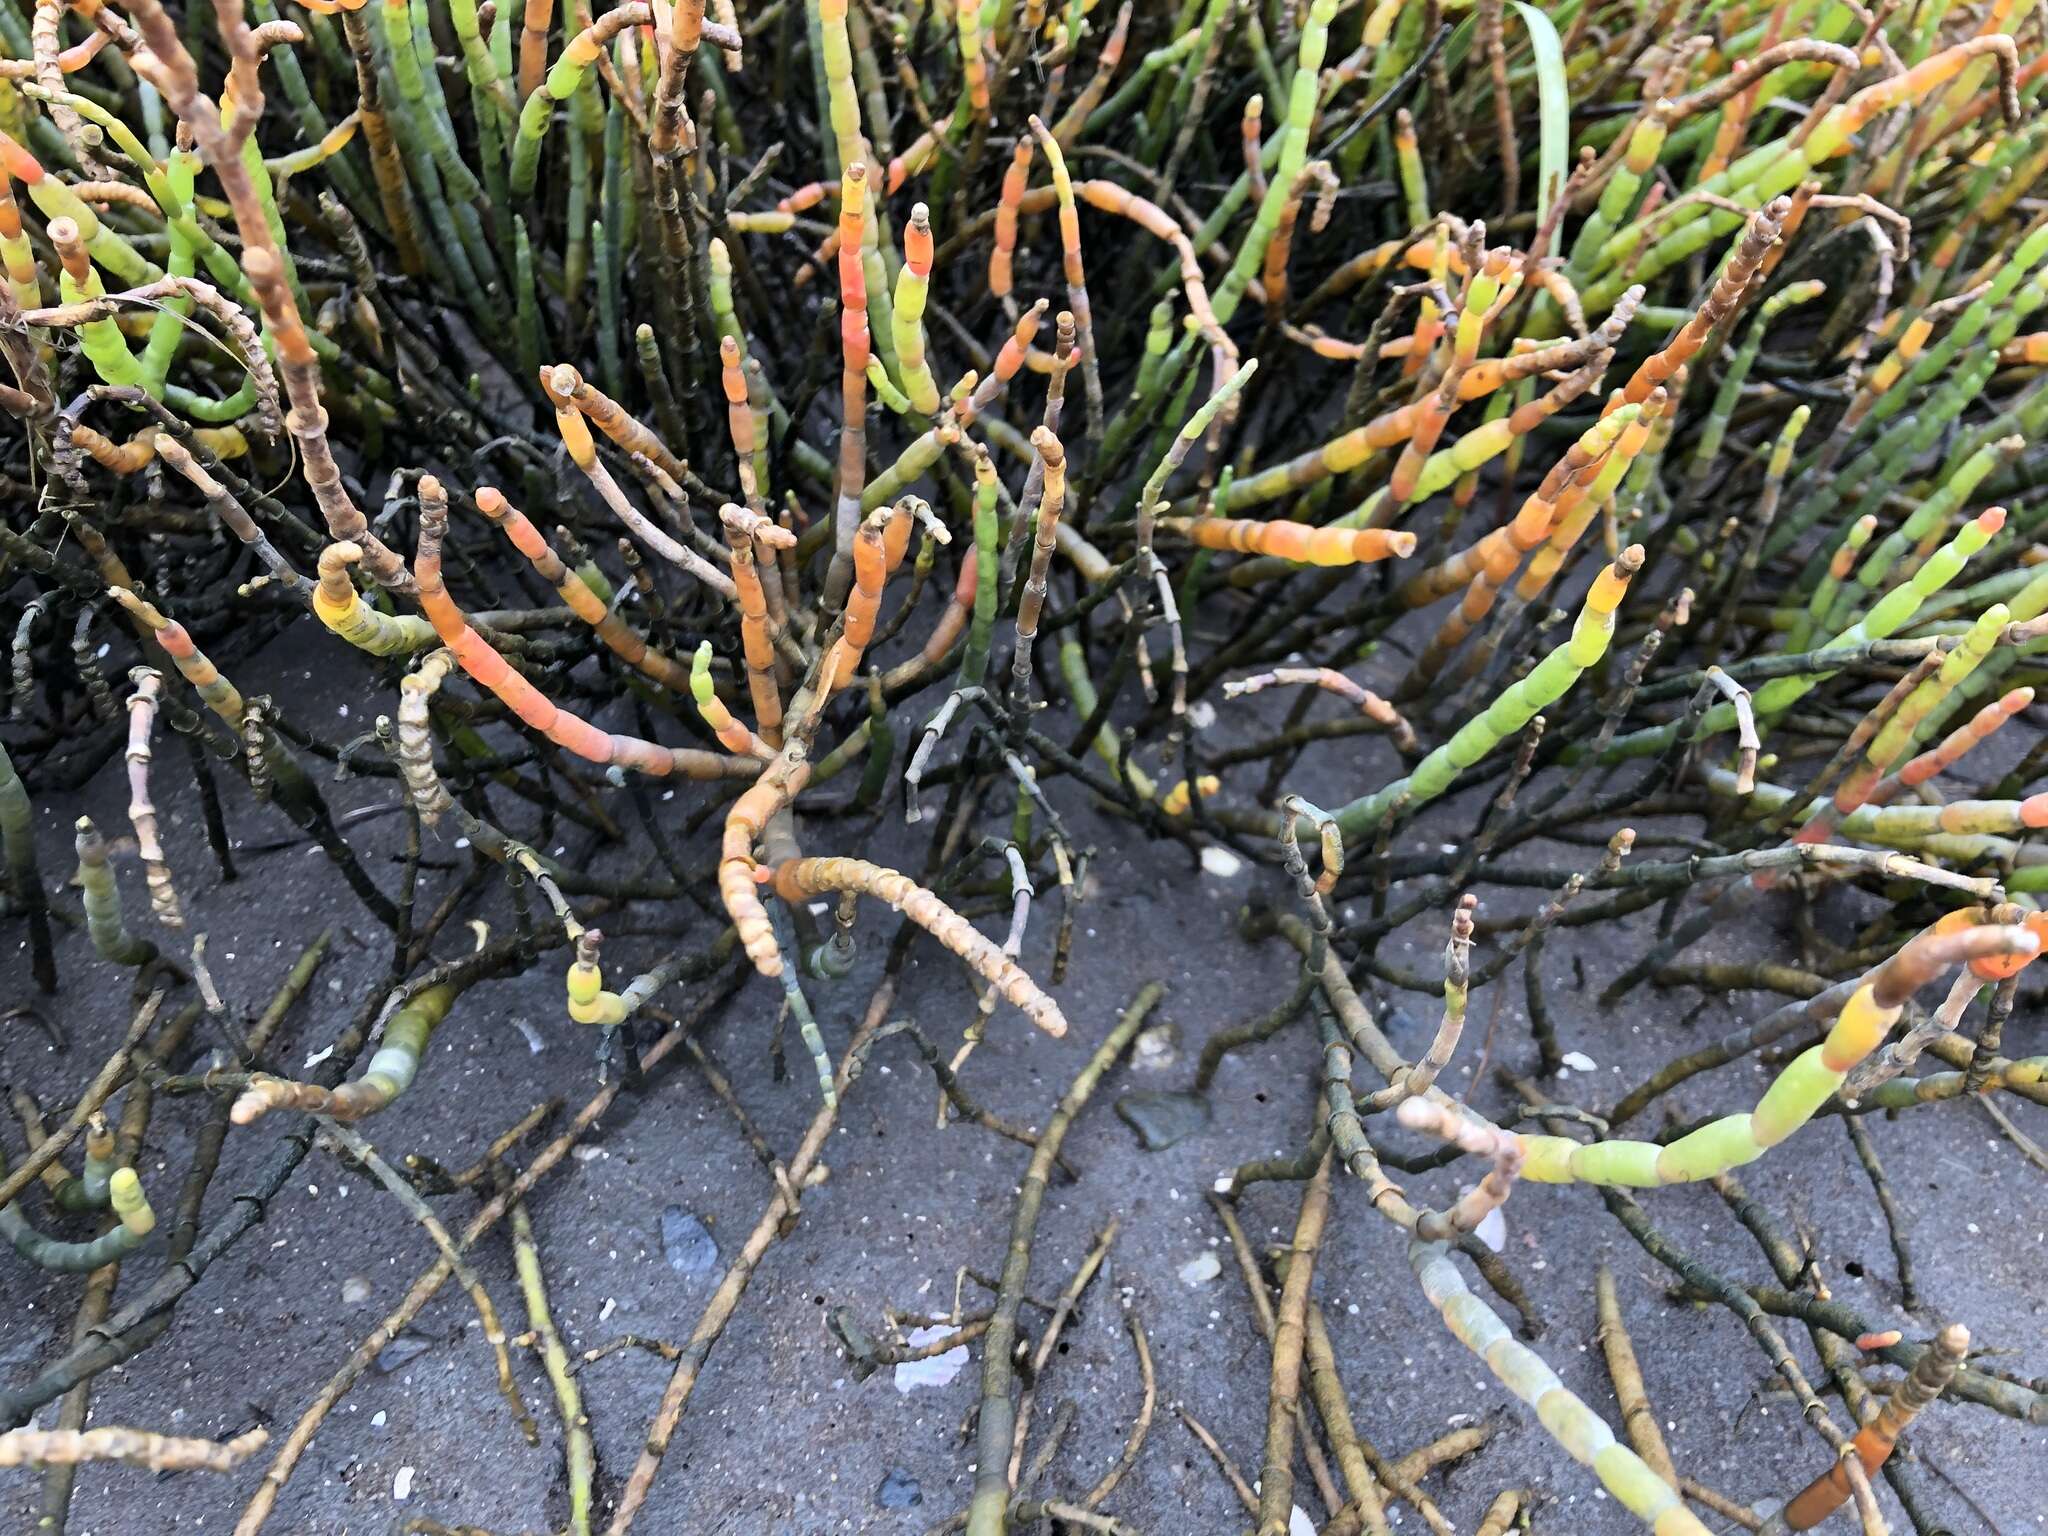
{"x": 781, "y": 1437}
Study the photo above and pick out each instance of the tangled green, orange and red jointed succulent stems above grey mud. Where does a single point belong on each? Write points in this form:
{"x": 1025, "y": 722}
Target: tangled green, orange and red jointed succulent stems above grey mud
{"x": 1613, "y": 421}
